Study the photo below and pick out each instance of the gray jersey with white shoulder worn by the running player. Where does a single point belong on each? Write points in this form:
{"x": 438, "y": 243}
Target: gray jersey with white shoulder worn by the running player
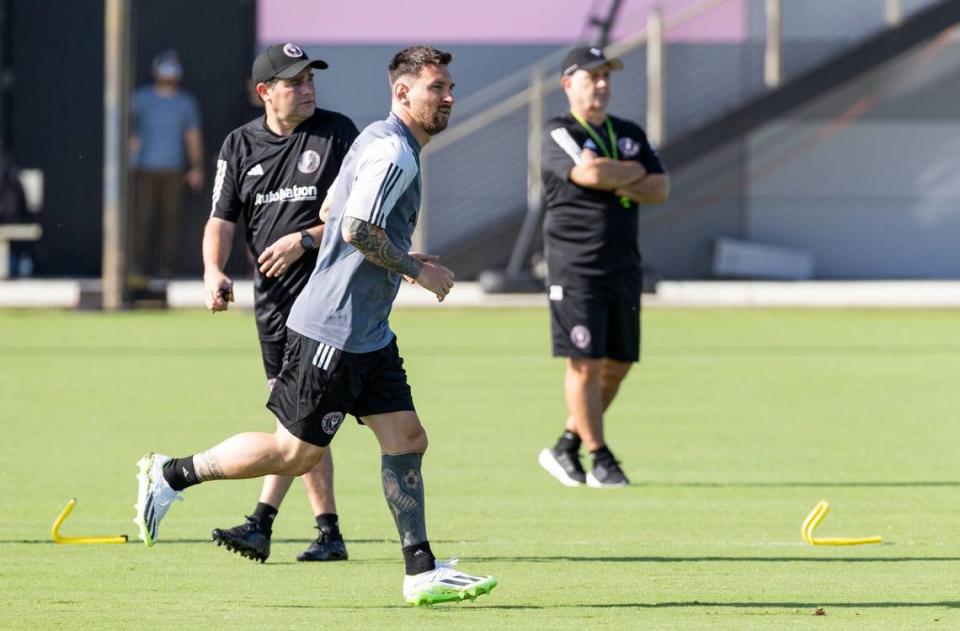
{"x": 347, "y": 300}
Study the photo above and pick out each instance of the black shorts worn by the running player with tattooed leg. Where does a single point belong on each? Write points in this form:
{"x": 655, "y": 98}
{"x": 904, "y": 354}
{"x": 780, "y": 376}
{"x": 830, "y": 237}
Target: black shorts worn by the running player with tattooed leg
{"x": 318, "y": 385}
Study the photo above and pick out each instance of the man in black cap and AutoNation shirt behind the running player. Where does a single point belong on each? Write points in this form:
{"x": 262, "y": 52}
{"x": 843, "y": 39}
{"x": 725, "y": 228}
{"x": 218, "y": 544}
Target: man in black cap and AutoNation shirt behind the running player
{"x": 273, "y": 172}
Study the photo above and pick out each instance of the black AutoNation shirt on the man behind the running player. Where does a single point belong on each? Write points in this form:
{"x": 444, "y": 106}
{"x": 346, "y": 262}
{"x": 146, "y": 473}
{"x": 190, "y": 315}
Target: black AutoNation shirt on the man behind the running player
{"x": 277, "y": 184}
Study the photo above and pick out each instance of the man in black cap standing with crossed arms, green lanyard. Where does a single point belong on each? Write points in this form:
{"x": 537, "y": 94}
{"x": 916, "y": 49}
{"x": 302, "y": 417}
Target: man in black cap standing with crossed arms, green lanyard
{"x": 596, "y": 170}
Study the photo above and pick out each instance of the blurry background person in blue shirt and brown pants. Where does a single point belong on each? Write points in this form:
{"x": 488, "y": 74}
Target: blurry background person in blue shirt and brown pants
{"x": 167, "y": 150}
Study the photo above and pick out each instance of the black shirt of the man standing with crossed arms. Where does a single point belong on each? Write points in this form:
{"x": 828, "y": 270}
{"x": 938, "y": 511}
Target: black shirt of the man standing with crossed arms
{"x": 589, "y": 234}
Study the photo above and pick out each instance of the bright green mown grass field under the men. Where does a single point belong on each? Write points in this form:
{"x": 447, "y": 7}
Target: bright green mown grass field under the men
{"x": 735, "y": 424}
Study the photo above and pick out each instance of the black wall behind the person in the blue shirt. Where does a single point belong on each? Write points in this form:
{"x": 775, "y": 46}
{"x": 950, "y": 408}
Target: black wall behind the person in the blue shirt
{"x": 55, "y": 116}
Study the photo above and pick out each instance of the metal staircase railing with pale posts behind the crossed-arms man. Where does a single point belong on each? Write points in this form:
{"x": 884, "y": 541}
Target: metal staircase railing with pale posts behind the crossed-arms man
{"x": 485, "y": 170}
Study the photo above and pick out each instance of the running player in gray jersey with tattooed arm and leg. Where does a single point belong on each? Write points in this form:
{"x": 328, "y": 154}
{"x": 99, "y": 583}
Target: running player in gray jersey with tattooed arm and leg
{"x": 341, "y": 356}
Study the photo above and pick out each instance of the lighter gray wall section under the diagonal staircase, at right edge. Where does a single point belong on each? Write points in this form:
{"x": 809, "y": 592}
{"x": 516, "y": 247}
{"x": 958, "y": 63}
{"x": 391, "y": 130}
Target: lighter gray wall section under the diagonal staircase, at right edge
{"x": 866, "y": 178}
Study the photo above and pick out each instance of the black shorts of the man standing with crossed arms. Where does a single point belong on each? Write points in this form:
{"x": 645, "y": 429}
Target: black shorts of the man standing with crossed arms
{"x": 596, "y": 320}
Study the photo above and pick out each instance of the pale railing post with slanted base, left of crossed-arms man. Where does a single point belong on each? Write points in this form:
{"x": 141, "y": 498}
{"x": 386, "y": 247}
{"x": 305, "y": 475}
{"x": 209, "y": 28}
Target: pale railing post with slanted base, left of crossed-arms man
{"x": 534, "y": 183}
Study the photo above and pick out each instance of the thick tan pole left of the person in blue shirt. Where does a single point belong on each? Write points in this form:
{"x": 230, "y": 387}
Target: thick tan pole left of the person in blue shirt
{"x": 116, "y": 71}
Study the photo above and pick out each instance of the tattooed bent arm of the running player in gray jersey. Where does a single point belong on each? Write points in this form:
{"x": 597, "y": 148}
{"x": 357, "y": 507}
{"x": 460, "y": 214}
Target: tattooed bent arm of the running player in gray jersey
{"x": 373, "y": 243}
